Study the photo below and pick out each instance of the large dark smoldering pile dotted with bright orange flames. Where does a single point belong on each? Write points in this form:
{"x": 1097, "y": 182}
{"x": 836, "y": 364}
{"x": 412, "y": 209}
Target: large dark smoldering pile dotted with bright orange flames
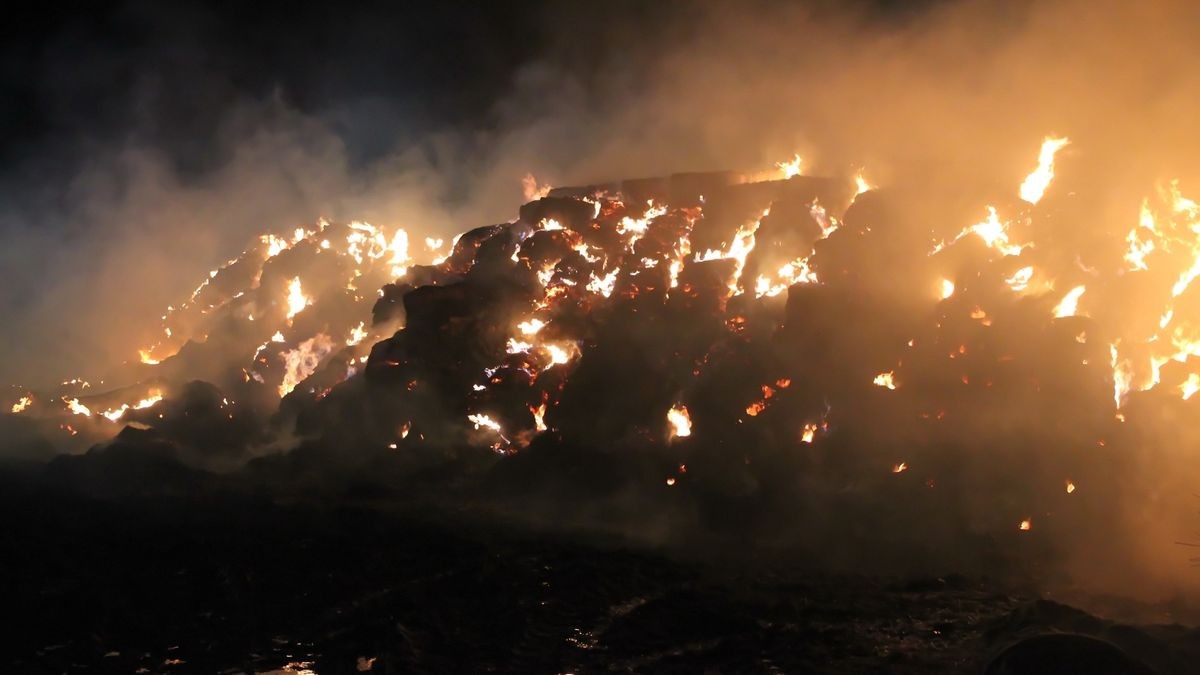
{"x": 796, "y": 362}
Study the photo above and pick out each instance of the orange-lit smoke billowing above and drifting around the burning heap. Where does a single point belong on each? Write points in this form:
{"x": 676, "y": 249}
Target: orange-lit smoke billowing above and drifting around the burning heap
{"x": 946, "y": 104}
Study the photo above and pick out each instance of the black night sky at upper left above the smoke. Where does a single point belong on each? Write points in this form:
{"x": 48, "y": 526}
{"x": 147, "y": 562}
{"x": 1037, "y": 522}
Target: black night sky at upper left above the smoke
{"x": 169, "y": 73}
